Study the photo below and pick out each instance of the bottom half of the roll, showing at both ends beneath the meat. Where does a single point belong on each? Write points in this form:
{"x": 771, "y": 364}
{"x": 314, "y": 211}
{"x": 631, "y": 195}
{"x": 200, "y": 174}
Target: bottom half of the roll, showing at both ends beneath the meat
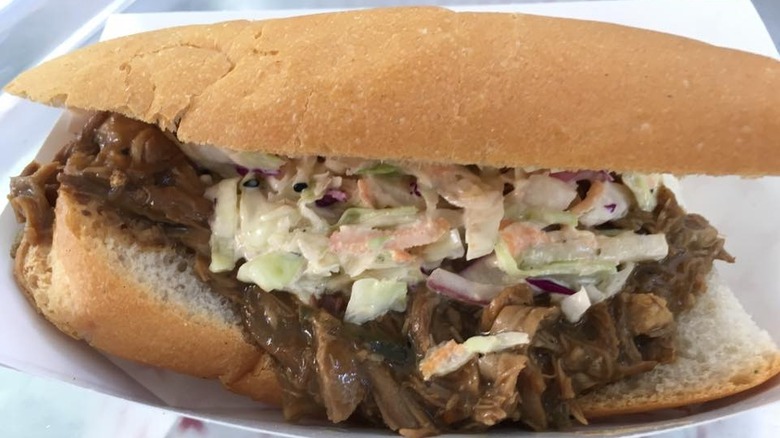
{"x": 99, "y": 287}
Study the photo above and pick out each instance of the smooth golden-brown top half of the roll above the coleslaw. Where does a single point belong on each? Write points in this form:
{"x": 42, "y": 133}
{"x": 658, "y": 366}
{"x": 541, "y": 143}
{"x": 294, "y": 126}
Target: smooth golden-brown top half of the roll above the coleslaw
{"x": 430, "y": 84}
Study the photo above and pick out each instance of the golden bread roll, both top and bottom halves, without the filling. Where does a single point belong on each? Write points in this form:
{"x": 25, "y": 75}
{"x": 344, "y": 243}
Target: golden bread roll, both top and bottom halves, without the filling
{"x": 422, "y": 84}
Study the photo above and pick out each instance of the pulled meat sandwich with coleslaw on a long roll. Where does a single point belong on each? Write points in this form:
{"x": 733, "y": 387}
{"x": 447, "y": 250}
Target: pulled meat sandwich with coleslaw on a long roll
{"x": 412, "y": 218}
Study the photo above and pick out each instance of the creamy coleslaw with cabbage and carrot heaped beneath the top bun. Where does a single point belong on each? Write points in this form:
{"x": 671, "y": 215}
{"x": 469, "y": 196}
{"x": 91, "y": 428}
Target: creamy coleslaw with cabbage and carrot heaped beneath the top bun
{"x": 370, "y": 229}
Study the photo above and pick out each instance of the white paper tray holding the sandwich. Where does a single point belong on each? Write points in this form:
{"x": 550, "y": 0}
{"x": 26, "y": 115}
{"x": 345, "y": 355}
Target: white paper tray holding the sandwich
{"x": 746, "y": 211}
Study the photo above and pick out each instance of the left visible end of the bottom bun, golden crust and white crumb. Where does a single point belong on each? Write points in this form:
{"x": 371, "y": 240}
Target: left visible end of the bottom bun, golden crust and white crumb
{"x": 95, "y": 284}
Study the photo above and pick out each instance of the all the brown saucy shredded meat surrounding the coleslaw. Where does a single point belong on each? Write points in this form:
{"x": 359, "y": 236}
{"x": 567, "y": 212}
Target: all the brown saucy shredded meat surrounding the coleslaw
{"x": 369, "y": 373}
